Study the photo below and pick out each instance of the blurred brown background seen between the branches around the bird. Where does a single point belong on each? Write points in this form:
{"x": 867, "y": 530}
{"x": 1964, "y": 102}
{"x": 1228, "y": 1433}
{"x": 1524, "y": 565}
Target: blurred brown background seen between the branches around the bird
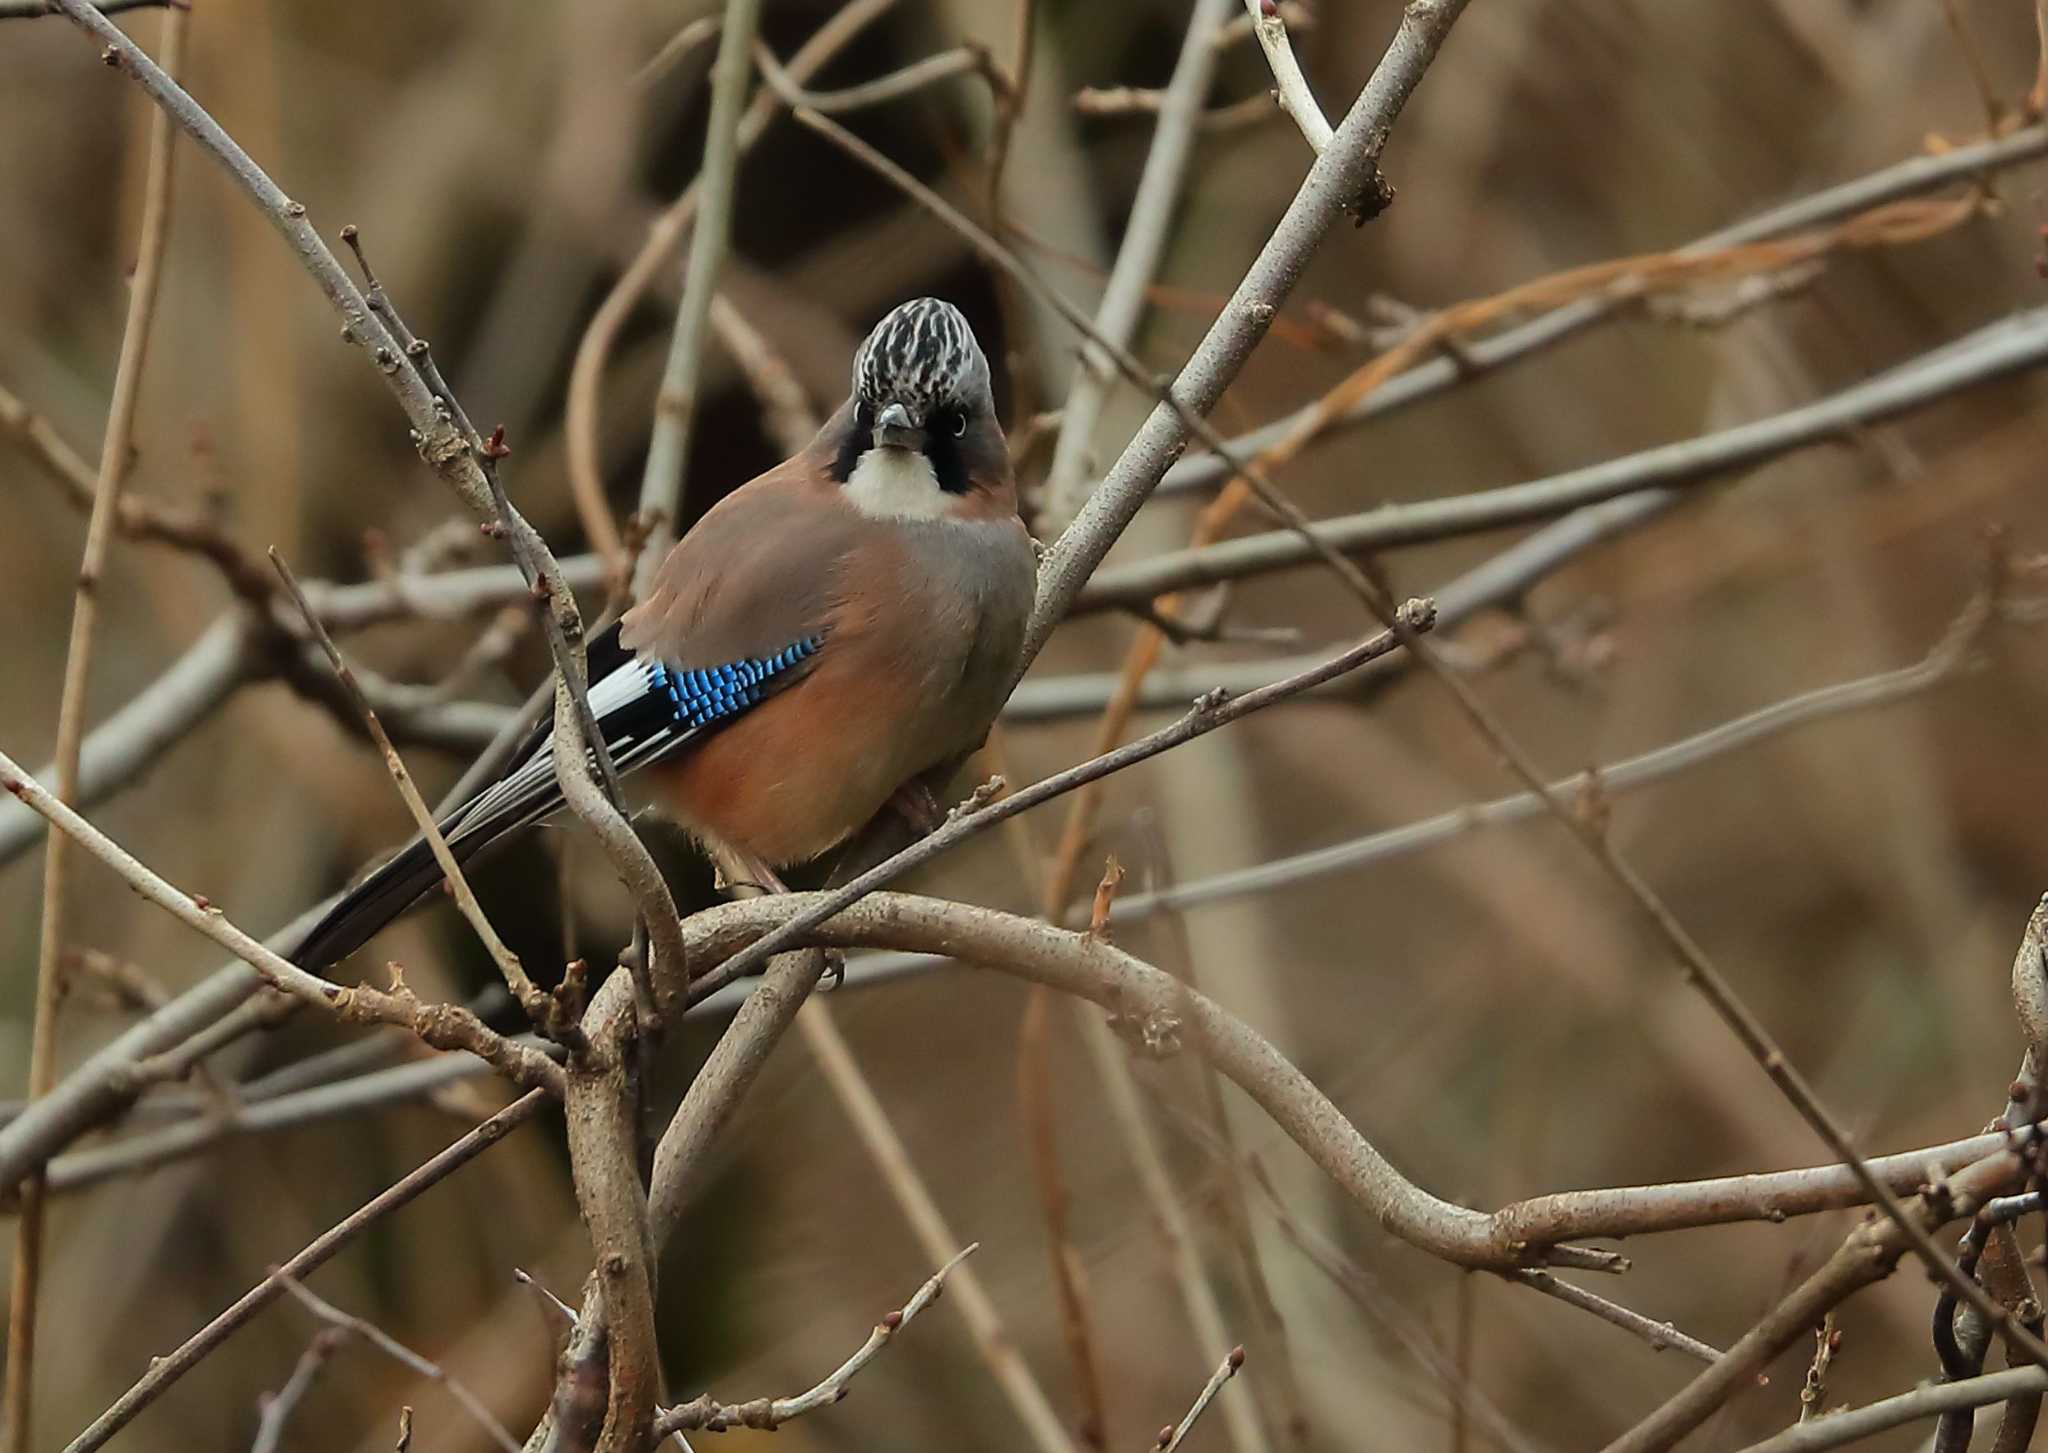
{"x": 1486, "y": 1011}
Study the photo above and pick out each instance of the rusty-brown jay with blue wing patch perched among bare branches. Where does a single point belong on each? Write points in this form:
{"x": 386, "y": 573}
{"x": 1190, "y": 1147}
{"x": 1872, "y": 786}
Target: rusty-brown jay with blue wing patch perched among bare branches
{"x": 820, "y": 642}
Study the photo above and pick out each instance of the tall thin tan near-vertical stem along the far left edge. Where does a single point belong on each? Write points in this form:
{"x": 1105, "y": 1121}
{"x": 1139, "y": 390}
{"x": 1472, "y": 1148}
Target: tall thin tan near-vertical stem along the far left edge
{"x": 110, "y": 479}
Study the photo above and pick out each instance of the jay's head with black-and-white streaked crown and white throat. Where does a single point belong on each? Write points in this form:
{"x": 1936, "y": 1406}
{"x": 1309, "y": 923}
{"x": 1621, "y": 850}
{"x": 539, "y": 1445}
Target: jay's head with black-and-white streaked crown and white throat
{"x": 921, "y": 419}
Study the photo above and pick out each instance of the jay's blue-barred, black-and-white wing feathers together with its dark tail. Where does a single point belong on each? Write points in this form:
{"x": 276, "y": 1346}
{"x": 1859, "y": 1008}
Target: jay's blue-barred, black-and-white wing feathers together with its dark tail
{"x": 644, "y": 710}
